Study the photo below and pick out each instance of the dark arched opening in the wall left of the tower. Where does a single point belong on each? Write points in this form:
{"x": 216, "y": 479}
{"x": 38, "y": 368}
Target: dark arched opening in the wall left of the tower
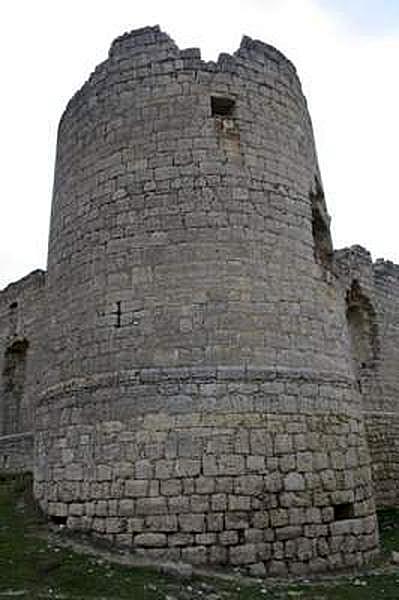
{"x": 13, "y": 385}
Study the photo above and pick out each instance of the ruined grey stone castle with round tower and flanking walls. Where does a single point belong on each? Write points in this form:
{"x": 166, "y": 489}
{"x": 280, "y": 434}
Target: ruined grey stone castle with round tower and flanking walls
{"x": 198, "y": 375}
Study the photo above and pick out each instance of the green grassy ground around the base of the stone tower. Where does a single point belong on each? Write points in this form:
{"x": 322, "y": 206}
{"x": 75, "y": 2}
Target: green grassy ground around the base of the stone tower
{"x": 32, "y": 567}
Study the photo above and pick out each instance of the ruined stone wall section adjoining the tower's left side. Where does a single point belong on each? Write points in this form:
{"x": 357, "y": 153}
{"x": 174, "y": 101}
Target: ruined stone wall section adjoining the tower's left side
{"x": 22, "y": 311}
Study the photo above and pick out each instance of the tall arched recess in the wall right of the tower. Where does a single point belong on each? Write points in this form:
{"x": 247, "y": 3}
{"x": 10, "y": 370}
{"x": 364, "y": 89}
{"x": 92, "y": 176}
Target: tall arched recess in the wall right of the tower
{"x": 363, "y": 333}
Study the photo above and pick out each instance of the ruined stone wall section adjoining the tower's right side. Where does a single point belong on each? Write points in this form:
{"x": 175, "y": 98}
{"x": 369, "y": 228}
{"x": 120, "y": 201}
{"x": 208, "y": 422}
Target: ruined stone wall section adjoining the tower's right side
{"x": 372, "y": 294}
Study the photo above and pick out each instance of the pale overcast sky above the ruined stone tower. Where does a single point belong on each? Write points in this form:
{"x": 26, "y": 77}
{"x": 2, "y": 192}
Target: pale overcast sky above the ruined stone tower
{"x": 346, "y": 53}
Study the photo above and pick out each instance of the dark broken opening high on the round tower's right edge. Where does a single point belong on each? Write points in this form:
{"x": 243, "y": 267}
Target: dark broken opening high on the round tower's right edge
{"x": 322, "y": 242}
